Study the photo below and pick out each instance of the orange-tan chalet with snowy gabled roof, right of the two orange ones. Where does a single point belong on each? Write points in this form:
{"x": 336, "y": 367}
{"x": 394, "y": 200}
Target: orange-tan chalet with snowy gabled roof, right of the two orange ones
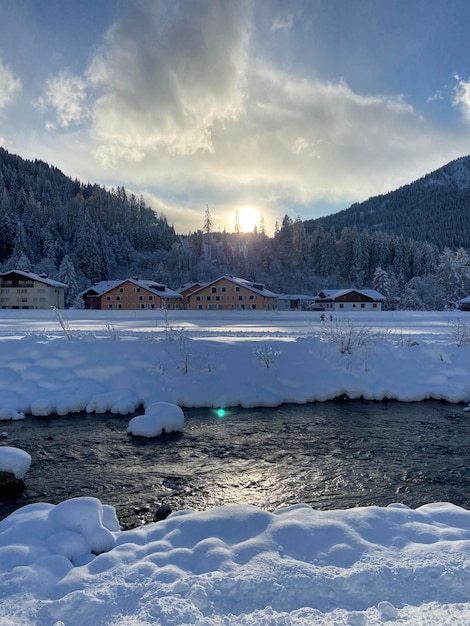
{"x": 228, "y": 293}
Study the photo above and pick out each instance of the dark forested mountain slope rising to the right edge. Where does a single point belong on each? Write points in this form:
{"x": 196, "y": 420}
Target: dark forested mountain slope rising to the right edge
{"x": 434, "y": 208}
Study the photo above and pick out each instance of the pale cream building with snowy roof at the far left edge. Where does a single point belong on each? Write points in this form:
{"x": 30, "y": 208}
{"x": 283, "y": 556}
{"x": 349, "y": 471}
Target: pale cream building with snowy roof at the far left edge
{"x": 25, "y": 290}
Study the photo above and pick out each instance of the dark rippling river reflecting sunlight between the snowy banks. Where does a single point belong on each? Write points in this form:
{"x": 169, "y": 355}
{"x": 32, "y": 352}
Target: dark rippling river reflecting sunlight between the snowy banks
{"x": 330, "y": 455}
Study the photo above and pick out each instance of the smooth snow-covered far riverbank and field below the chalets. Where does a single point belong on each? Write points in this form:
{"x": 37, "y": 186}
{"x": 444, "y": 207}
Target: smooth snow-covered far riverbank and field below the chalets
{"x": 98, "y": 363}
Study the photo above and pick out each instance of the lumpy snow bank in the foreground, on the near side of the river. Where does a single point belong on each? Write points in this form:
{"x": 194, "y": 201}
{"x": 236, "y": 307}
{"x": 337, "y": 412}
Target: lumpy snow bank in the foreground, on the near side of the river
{"x": 236, "y": 565}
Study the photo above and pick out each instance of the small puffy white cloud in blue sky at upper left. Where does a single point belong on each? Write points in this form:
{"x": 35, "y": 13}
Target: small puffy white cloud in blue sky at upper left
{"x": 66, "y": 94}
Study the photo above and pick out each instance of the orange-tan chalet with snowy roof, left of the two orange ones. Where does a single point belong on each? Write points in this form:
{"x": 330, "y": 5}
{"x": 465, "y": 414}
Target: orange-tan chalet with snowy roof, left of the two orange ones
{"x": 130, "y": 294}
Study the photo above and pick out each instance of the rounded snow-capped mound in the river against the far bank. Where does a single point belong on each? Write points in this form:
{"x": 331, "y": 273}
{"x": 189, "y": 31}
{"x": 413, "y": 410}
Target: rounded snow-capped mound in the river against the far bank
{"x": 159, "y": 417}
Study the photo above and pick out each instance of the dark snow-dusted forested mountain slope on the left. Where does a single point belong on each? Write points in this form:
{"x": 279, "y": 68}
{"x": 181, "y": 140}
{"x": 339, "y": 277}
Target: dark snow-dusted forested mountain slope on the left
{"x": 47, "y": 219}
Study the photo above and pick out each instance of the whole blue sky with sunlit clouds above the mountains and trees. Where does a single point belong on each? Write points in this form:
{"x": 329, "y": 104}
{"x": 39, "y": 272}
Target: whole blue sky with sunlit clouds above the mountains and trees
{"x": 248, "y": 107}
